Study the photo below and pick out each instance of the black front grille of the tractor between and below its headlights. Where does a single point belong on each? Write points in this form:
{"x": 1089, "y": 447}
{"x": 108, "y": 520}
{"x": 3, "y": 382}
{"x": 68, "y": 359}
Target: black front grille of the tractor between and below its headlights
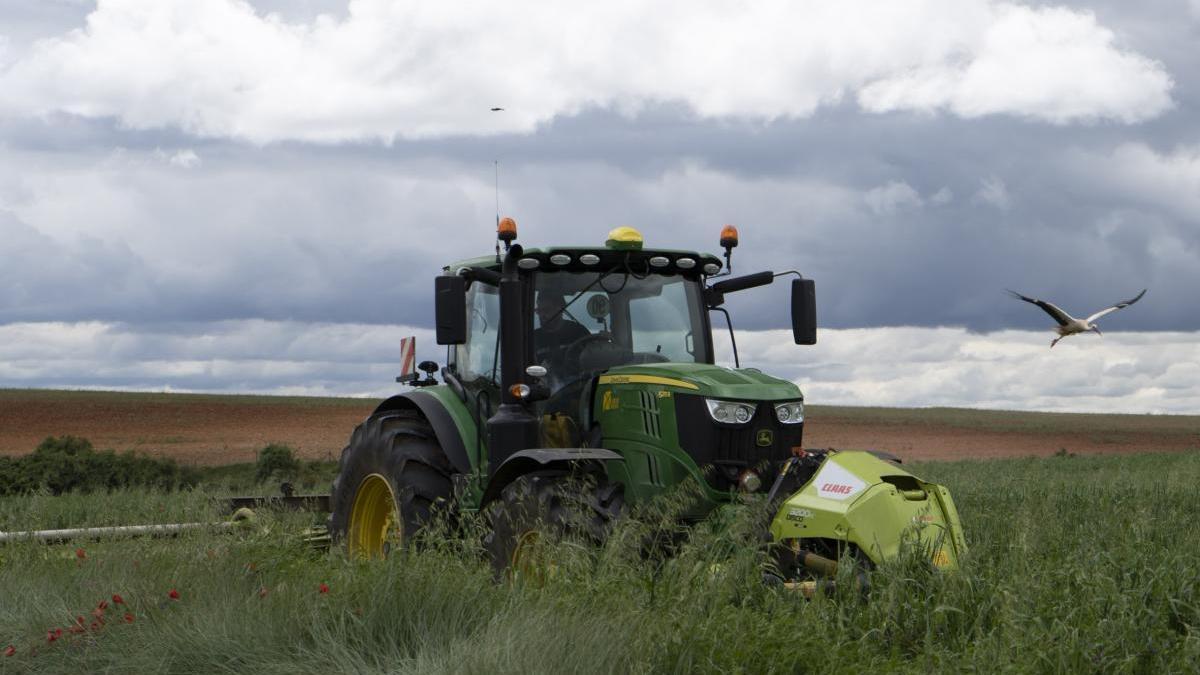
{"x": 725, "y": 450}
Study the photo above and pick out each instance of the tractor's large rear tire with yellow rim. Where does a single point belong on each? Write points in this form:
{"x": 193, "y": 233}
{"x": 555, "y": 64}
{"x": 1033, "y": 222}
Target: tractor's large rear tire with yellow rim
{"x": 393, "y": 477}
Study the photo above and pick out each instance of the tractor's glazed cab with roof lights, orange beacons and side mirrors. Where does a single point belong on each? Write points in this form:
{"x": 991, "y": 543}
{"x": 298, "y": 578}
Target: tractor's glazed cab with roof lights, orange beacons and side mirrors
{"x": 560, "y": 319}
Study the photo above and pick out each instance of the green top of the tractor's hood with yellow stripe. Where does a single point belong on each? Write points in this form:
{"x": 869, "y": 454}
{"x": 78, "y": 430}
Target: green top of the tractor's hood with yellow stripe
{"x": 709, "y": 380}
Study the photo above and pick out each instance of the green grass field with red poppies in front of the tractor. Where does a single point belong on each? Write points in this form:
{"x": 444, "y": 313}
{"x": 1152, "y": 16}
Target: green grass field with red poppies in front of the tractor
{"x": 1084, "y": 565}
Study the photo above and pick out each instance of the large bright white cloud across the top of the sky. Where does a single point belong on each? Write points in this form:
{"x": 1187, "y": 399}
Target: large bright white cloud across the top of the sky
{"x": 415, "y": 70}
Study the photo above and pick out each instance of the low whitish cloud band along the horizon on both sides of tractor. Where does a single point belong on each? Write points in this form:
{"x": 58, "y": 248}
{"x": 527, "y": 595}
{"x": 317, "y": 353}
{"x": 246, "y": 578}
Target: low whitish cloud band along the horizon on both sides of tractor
{"x": 1133, "y": 373}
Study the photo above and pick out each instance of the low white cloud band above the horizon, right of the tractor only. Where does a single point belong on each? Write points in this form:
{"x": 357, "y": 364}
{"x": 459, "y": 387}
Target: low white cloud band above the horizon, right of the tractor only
{"x": 1135, "y": 373}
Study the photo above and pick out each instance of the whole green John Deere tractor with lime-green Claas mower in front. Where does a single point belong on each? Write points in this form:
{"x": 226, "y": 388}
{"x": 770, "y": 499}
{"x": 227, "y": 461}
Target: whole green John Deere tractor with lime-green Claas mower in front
{"x": 581, "y": 380}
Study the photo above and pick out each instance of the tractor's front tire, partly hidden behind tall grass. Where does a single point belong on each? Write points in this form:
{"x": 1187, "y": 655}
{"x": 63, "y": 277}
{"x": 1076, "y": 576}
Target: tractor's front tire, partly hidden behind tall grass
{"x": 549, "y": 506}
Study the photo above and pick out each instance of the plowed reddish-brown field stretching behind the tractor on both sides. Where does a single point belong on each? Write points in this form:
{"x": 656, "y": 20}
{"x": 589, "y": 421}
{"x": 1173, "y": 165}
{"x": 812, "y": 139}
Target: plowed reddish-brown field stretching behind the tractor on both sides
{"x": 223, "y": 429}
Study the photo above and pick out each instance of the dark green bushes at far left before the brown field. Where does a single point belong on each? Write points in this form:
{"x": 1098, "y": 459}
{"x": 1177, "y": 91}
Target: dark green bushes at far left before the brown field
{"x": 68, "y": 464}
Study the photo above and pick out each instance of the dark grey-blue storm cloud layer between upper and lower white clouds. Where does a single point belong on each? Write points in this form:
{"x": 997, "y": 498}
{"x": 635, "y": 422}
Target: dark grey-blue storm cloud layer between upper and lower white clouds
{"x": 904, "y": 219}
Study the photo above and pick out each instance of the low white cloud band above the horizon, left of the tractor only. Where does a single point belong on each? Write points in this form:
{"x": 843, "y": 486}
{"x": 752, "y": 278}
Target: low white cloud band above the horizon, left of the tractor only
{"x": 233, "y": 356}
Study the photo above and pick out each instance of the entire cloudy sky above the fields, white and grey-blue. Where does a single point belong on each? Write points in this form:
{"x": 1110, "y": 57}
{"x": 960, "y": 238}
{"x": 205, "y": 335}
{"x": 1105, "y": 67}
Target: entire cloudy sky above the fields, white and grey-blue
{"x": 233, "y": 196}
